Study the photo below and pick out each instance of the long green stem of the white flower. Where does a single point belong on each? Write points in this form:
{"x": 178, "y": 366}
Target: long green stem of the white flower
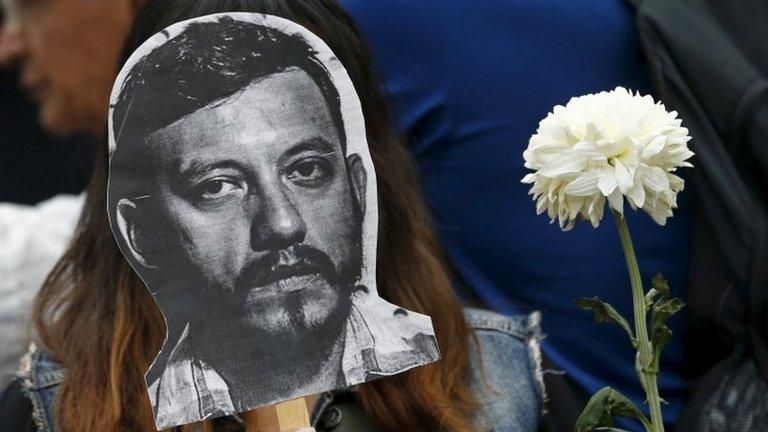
{"x": 644, "y": 348}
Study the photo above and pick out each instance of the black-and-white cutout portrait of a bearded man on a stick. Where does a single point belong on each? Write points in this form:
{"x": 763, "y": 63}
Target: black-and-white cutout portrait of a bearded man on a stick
{"x": 242, "y": 191}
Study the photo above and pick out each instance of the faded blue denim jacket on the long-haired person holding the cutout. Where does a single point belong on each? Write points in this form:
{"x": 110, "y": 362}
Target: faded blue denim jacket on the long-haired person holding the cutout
{"x": 508, "y": 384}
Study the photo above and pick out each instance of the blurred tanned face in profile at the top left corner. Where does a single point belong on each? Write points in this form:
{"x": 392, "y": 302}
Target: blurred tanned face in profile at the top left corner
{"x": 68, "y": 51}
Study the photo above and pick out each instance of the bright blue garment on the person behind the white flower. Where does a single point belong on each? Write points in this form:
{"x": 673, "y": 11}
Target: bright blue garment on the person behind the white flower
{"x": 470, "y": 80}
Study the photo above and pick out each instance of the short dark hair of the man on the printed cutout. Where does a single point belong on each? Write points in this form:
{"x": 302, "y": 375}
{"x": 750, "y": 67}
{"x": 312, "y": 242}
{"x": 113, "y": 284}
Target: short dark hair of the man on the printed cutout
{"x": 207, "y": 63}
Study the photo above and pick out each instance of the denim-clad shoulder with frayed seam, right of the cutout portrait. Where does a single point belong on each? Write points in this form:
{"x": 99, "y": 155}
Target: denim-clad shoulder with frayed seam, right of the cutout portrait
{"x": 506, "y": 371}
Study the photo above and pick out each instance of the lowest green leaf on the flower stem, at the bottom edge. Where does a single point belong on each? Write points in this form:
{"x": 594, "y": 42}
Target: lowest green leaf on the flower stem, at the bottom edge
{"x": 606, "y": 405}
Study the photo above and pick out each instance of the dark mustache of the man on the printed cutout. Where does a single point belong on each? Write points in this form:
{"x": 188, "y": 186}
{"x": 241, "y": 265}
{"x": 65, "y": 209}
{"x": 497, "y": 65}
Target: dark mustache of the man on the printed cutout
{"x": 296, "y": 260}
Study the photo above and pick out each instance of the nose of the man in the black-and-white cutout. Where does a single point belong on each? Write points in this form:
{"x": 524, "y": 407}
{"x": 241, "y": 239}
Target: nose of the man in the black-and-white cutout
{"x": 278, "y": 223}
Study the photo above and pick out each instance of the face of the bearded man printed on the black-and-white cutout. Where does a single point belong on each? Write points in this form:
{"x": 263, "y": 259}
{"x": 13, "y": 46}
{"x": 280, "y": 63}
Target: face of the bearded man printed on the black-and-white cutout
{"x": 260, "y": 204}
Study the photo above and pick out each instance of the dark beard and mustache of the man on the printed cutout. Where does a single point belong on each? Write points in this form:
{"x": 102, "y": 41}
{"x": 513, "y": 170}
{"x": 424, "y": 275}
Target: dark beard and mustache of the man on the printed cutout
{"x": 289, "y": 307}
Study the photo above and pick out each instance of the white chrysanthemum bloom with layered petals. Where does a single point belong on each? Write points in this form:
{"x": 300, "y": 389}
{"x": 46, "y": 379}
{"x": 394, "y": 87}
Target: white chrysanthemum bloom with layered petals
{"x": 607, "y": 146}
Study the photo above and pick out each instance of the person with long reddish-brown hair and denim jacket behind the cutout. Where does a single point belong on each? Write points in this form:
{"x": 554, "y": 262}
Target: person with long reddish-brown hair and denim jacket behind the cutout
{"x": 99, "y": 326}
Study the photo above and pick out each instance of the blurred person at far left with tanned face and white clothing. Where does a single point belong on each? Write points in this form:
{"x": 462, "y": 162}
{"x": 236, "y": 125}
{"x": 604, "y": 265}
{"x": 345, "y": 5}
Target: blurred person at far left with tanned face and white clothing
{"x": 65, "y": 54}
